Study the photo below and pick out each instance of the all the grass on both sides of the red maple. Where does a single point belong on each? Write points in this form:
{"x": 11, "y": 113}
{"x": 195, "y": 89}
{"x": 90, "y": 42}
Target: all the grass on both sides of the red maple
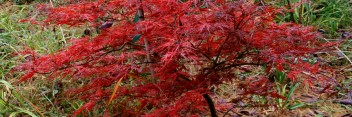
{"x": 42, "y": 97}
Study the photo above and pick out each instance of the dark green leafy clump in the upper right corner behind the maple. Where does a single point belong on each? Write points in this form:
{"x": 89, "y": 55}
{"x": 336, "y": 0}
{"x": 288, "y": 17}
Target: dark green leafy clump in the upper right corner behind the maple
{"x": 330, "y": 15}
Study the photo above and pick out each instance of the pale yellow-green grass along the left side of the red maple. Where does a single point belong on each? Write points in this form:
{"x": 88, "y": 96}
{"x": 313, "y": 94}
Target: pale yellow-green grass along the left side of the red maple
{"x": 35, "y": 97}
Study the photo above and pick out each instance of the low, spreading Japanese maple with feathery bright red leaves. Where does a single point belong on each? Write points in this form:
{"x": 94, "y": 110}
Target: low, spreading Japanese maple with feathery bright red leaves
{"x": 165, "y": 55}
